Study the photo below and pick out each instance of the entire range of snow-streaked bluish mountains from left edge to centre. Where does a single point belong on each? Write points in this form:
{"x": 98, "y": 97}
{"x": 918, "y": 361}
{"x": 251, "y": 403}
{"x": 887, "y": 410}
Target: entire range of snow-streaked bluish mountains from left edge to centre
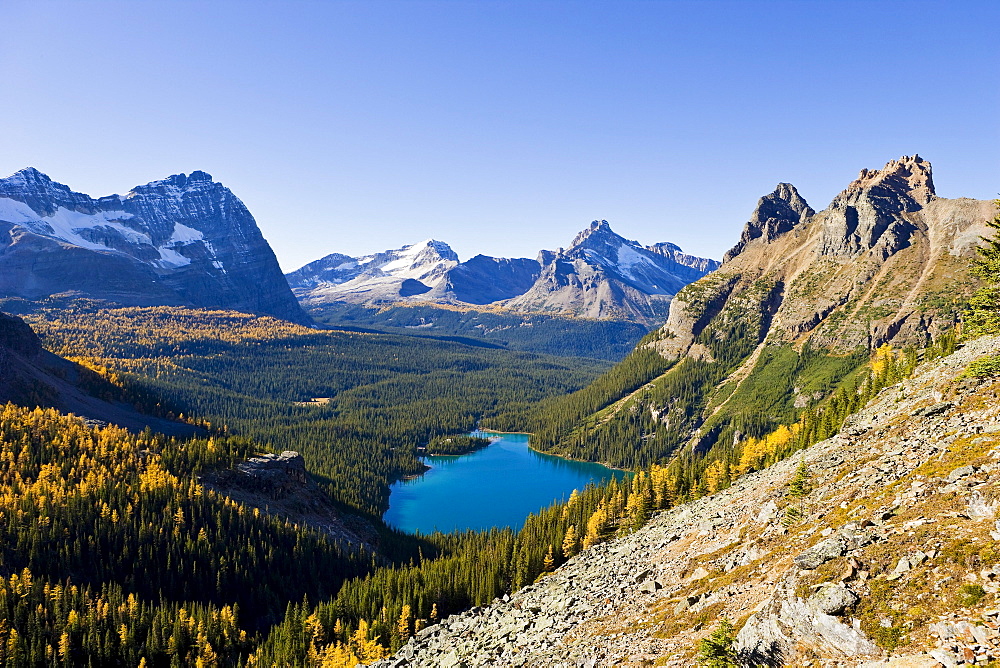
{"x": 187, "y": 240}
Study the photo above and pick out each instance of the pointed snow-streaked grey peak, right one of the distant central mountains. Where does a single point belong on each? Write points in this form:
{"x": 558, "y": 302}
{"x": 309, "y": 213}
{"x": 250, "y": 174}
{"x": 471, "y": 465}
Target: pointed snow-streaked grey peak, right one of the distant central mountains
{"x": 603, "y": 275}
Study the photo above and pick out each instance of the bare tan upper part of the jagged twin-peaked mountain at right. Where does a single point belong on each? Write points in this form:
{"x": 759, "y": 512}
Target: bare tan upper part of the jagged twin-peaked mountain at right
{"x": 883, "y": 263}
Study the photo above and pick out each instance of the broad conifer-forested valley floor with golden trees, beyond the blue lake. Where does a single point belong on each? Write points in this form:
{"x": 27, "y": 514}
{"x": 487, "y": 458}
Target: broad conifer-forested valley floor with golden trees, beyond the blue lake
{"x": 355, "y": 405}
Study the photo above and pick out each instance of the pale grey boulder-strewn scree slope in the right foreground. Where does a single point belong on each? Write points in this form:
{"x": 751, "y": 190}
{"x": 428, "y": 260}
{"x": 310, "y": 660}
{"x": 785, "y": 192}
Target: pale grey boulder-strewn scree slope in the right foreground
{"x": 890, "y": 559}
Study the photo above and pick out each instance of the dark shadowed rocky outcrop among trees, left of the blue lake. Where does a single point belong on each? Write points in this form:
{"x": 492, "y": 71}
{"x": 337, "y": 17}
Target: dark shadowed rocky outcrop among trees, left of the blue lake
{"x": 279, "y": 484}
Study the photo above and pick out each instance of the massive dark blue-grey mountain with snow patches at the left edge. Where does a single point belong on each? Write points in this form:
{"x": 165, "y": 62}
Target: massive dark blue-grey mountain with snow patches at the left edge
{"x": 184, "y": 240}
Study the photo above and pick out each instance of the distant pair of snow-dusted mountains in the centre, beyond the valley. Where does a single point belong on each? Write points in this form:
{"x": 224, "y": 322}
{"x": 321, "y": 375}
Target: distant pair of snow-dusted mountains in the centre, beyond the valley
{"x": 601, "y": 275}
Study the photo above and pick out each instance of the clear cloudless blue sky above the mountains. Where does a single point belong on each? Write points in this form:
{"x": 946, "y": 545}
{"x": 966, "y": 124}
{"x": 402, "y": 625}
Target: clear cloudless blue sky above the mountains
{"x": 499, "y": 127}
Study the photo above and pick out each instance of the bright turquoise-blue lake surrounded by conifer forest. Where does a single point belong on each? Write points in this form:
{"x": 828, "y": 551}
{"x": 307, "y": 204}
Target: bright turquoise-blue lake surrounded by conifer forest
{"x": 497, "y": 486}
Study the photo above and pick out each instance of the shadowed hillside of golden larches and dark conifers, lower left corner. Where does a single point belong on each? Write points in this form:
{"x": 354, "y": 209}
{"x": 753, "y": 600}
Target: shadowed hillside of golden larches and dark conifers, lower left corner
{"x": 113, "y": 552}
